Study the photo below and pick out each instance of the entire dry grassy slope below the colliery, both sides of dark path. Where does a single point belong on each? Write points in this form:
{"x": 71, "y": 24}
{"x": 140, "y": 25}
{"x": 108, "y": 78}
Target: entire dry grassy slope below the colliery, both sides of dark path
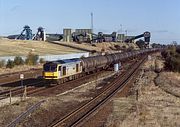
{"x": 23, "y": 47}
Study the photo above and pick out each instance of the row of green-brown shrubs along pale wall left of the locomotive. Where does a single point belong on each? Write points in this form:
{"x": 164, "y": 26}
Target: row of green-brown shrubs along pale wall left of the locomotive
{"x": 31, "y": 59}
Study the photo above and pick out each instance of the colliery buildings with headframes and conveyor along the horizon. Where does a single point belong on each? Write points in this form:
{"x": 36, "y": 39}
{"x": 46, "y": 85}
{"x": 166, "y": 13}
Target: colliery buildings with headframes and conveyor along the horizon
{"x": 76, "y": 35}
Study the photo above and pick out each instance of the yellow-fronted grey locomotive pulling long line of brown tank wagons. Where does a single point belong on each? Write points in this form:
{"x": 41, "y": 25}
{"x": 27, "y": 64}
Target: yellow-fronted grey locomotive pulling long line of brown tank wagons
{"x": 64, "y": 70}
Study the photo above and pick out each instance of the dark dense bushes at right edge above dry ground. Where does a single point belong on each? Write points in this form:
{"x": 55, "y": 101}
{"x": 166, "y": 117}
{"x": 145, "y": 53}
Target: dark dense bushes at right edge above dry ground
{"x": 172, "y": 58}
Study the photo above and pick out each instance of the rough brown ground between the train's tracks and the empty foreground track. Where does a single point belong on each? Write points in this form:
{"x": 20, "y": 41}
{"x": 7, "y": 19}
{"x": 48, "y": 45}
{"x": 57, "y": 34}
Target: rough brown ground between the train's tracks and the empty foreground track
{"x": 55, "y": 106}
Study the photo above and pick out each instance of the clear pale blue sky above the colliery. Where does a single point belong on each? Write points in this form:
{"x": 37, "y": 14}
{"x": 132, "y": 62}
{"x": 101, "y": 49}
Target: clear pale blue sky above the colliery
{"x": 160, "y": 17}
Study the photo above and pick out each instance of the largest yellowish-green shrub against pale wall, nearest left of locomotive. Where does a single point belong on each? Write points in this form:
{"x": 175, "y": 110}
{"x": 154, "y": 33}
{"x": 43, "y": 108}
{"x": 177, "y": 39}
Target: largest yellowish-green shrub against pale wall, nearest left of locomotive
{"x": 31, "y": 59}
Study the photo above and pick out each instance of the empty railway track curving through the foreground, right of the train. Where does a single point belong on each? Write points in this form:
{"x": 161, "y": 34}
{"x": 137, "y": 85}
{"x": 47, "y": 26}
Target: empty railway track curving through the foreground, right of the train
{"x": 79, "y": 114}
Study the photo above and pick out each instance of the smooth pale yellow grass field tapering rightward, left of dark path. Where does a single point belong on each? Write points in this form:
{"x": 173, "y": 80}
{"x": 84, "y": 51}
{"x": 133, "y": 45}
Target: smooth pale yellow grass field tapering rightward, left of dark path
{"x": 23, "y": 47}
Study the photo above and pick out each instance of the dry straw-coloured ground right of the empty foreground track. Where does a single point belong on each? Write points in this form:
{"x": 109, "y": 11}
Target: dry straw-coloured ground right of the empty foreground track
{"x": 150, "y": 105}
